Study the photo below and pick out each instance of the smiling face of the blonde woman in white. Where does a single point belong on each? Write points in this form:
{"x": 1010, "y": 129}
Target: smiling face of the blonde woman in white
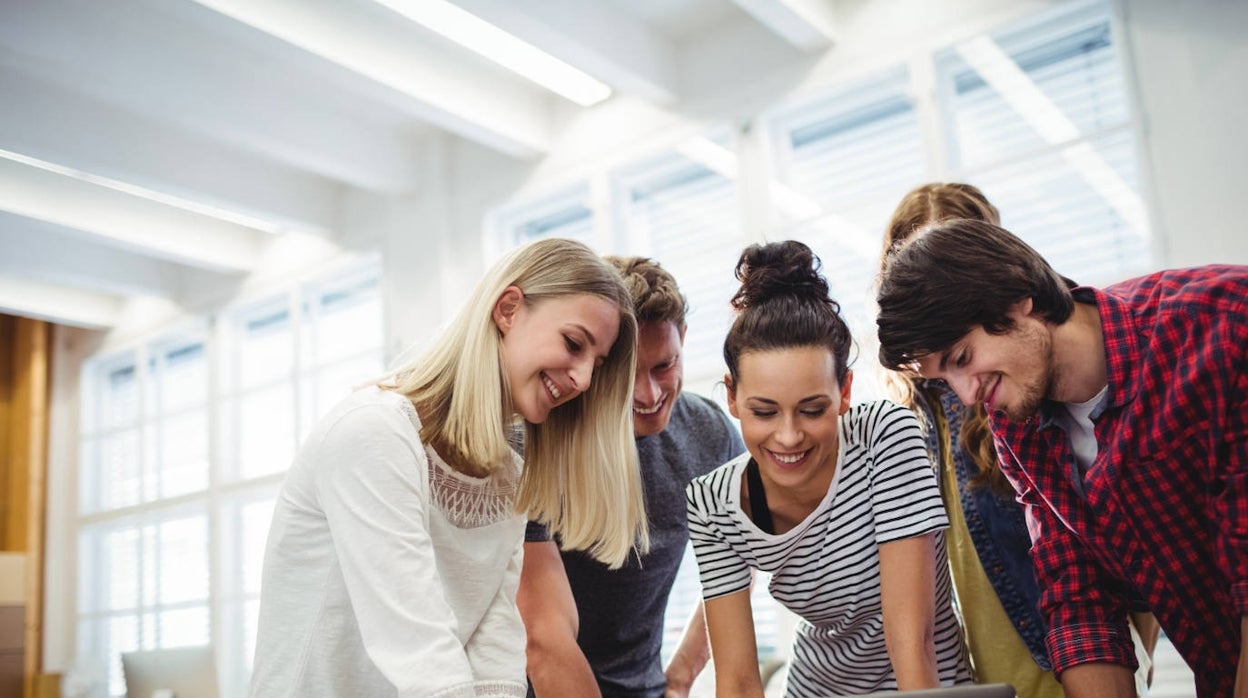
{"x": 552, "y": 347}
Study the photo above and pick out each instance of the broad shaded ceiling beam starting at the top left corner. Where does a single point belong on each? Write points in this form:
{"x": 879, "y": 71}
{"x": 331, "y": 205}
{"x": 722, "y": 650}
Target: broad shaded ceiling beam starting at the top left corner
{"x": 253, "y": 96}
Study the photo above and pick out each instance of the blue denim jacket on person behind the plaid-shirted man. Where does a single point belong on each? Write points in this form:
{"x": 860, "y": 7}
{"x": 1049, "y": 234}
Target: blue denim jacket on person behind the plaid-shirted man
{"x": 998, "y": 528}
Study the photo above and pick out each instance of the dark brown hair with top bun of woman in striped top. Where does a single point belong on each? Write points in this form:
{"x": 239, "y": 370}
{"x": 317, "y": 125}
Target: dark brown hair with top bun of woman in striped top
{"x": 783, "y": 303}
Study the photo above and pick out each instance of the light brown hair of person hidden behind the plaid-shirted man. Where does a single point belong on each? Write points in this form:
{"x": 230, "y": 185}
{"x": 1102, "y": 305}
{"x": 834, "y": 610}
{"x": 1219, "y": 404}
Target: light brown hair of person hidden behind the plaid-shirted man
{"x": 919, "y": 209}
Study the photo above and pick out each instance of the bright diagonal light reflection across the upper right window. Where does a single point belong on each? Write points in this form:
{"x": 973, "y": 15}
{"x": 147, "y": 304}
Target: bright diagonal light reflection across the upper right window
{"x": 1021, "y": 93}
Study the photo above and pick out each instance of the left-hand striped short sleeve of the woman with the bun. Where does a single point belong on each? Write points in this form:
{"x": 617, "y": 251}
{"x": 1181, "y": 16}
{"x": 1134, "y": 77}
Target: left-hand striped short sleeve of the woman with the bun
{"x": 711, "y": 531}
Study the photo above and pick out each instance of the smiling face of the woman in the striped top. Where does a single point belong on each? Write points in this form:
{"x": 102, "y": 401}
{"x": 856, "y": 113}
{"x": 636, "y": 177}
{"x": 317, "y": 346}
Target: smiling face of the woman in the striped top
{"x": 789, "y": 404}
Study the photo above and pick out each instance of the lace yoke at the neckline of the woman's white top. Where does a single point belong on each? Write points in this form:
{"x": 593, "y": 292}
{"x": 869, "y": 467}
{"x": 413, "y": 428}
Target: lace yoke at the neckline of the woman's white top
{"x": 474, "y": 503}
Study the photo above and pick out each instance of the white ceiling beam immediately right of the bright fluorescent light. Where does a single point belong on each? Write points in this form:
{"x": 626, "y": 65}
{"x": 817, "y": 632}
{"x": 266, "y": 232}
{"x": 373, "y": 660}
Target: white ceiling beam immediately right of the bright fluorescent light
{"x": 635, "y": 61}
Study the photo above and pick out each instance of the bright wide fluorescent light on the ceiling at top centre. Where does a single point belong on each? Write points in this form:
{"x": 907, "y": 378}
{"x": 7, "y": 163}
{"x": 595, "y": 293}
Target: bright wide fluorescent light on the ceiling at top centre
{"x": 479, "y": 36}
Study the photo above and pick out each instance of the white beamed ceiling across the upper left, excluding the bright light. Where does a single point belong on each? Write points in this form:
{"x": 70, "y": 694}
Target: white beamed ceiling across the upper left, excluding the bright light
{"x": 154, "y": 147}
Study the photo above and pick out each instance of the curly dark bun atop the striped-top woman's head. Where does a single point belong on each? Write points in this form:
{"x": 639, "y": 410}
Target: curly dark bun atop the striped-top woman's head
{"x": 772, "y": 270}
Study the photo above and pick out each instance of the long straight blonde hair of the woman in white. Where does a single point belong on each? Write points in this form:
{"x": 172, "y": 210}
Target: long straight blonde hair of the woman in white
{"x": 581, "y": 471}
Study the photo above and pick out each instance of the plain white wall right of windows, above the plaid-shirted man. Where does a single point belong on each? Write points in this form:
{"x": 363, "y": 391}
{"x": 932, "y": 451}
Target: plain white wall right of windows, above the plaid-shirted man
{"x": 1191, "y": 73}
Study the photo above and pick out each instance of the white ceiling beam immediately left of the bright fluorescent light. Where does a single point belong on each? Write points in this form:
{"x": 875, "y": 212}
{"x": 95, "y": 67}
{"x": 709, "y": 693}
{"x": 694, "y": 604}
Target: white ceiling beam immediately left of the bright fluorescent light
{"x": 430, "y": 81}
